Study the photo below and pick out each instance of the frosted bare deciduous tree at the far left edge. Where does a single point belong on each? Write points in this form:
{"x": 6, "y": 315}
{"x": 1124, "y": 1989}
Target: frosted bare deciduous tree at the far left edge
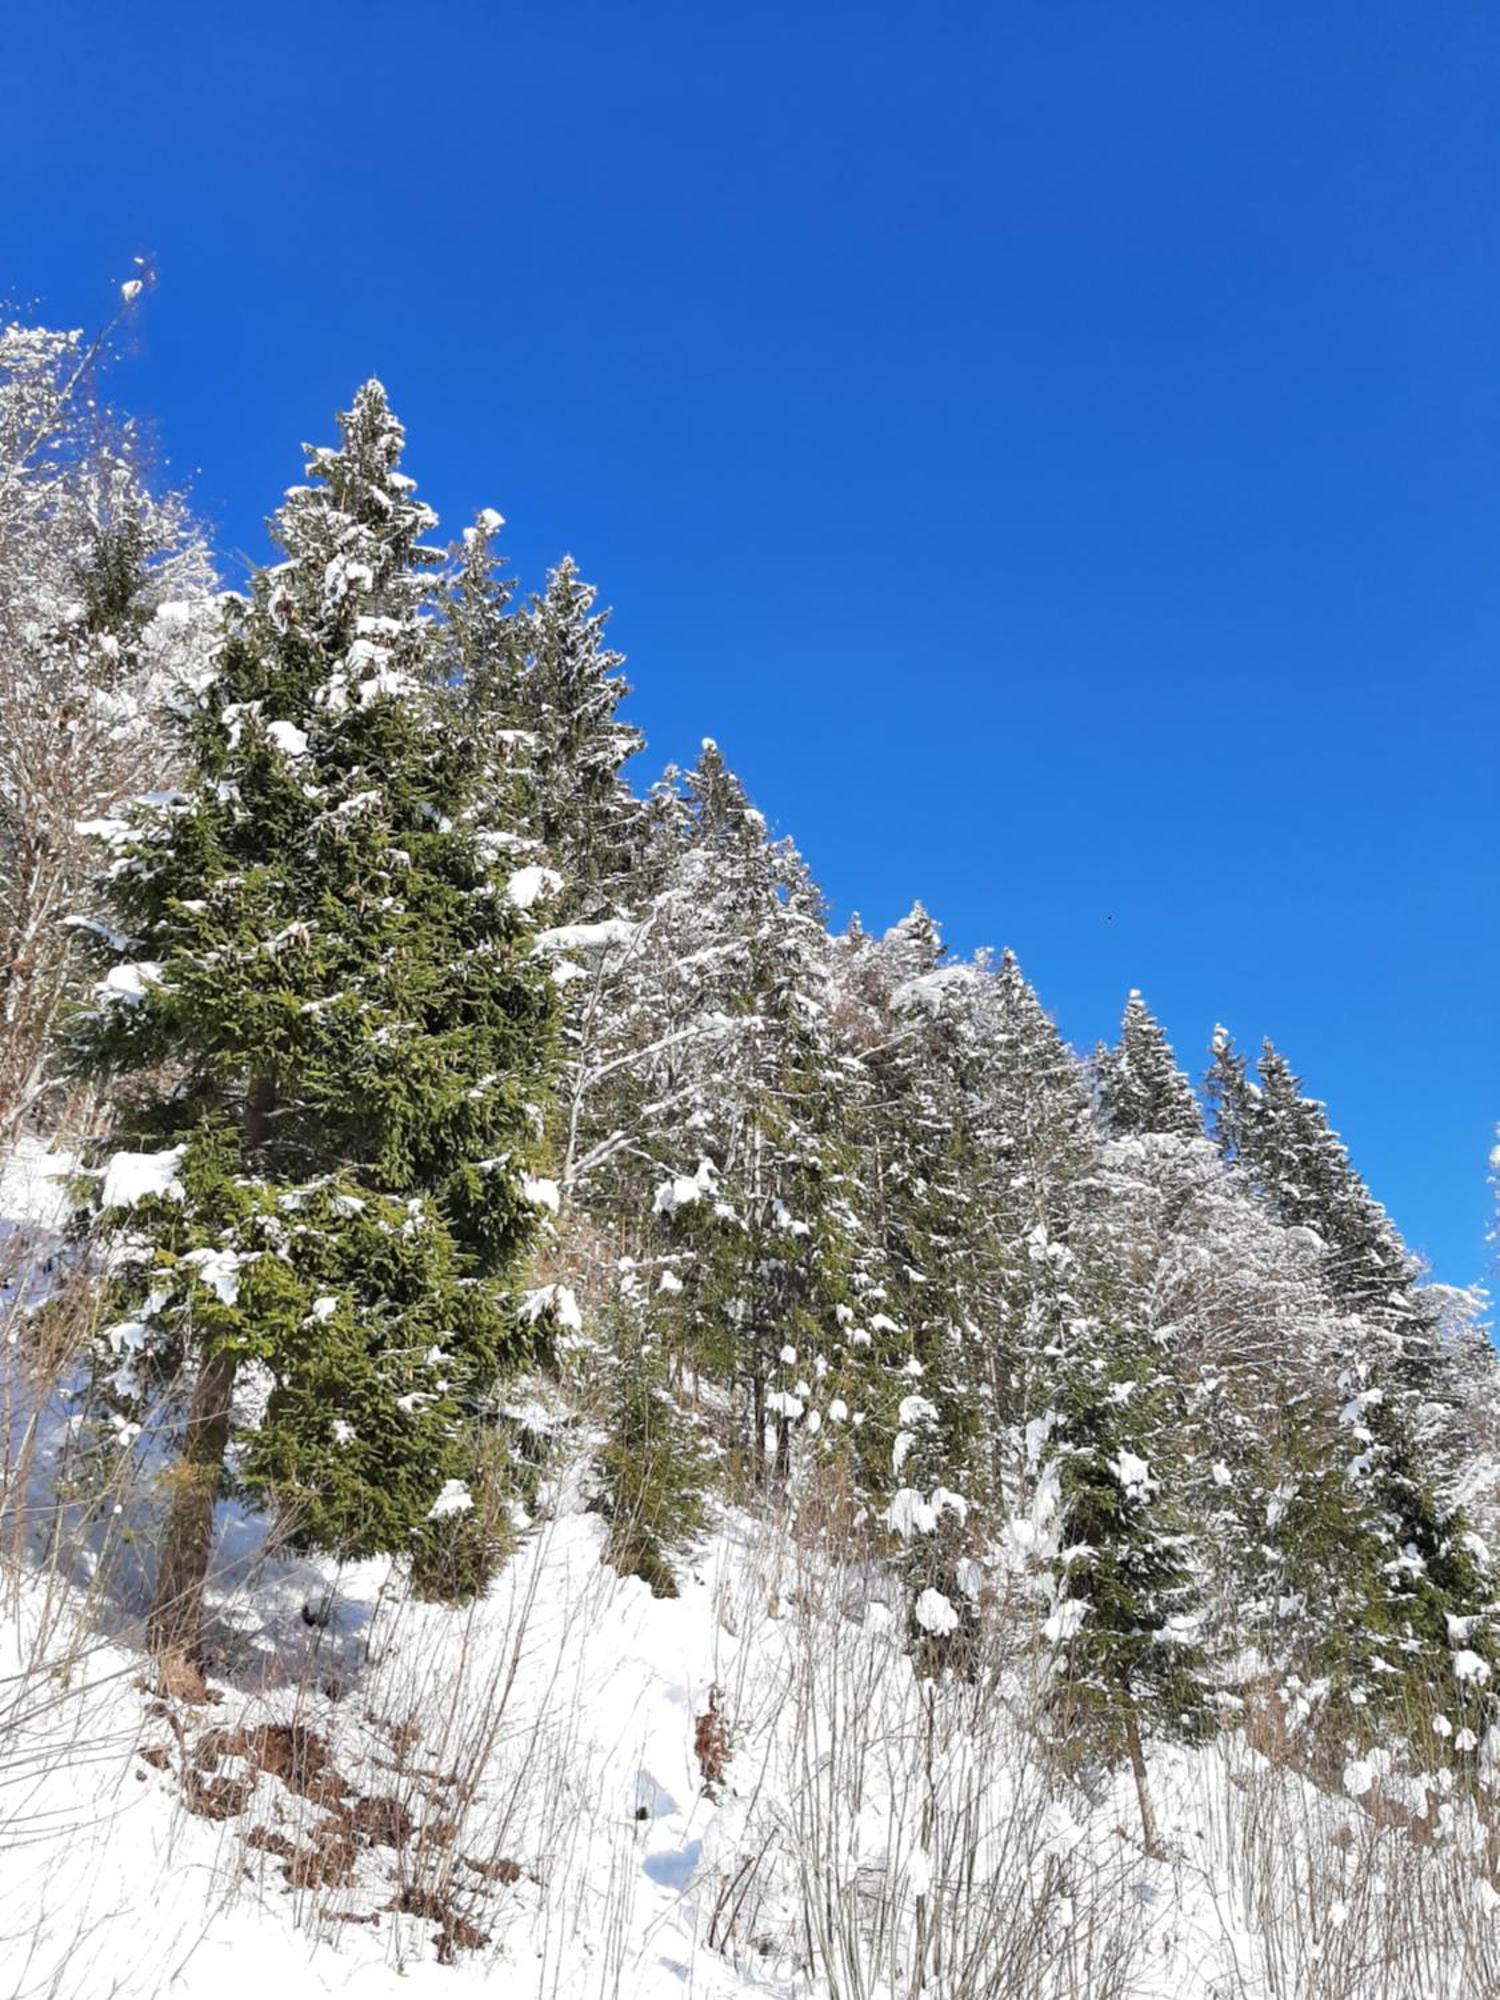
{"x": 105, "y": 603}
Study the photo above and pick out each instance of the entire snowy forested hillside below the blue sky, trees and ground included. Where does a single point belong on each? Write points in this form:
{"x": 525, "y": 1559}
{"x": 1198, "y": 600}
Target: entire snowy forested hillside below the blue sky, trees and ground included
{"x": 569, "y": 1423}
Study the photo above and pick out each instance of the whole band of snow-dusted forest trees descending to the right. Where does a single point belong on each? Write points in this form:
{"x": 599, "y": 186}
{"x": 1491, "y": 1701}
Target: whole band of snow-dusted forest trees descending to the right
{"x": 439, "y": 1087}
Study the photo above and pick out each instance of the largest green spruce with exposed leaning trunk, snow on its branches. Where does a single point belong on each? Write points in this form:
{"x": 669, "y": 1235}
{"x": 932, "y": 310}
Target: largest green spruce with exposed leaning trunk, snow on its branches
{"x": 331, "y": 1051}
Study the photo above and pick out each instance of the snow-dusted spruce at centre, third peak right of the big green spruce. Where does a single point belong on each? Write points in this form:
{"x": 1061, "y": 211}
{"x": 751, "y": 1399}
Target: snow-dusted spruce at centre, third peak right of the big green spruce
{"x": 737, "y": 1103}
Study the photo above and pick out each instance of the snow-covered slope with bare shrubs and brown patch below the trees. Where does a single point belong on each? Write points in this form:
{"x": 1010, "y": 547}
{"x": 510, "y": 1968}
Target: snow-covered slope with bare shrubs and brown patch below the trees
{"x": 525, "y": 1777}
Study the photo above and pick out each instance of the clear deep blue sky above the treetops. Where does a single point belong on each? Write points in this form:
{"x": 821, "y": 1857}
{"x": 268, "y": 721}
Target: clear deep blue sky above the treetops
{"x": 1051, "y": 447}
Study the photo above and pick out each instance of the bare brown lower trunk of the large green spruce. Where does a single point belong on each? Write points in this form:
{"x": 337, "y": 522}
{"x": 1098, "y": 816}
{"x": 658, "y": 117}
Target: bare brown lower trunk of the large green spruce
{"x": 175, "y": 1631}
